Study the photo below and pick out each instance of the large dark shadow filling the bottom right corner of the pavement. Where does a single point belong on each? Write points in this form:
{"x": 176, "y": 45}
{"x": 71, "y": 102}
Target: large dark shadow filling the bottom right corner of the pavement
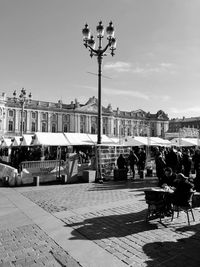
{"x": 182, "y": 252}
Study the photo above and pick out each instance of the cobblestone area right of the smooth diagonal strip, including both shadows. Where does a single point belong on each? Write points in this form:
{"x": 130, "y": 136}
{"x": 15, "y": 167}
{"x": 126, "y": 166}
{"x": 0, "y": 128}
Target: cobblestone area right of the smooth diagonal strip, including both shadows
{"x": 121, "y": 229}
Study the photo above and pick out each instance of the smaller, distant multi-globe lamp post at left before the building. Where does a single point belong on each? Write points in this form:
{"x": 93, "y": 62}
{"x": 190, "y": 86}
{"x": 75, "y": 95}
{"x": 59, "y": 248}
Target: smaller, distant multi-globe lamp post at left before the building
{"x": 22, "y": 99}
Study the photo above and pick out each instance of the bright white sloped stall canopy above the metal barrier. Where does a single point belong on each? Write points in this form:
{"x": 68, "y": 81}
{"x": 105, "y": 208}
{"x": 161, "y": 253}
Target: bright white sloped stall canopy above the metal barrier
{"x": 50, "y": 139}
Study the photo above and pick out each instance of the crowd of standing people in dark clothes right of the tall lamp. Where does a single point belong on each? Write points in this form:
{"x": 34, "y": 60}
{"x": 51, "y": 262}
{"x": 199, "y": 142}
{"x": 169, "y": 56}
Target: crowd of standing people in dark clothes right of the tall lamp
{"x": 185, "y": 161}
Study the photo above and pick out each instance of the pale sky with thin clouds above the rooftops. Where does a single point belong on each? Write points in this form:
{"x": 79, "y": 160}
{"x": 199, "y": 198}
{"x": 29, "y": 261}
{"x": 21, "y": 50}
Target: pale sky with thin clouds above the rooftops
{"x": 157, "y": 61}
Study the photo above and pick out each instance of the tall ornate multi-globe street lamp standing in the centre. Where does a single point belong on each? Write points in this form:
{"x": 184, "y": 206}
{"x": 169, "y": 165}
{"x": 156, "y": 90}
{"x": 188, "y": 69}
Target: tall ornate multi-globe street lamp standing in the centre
{"x": 89, "y": 43}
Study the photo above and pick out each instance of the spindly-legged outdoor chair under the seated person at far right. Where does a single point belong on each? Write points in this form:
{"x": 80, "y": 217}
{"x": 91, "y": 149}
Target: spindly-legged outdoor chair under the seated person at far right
{"x": 186, "y": 208}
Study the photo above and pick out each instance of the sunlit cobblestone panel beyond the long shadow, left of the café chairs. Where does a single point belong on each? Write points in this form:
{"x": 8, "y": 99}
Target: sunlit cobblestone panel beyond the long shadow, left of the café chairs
{"x": 67, "y": 197}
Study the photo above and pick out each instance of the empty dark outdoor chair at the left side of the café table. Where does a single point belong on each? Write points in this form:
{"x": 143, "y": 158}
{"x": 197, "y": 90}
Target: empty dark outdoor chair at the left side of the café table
{"x": 156, "y": 205}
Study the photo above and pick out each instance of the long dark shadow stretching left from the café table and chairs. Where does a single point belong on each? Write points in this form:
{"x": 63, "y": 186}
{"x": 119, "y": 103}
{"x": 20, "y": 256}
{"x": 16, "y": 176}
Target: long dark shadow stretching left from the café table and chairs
{"x": 110, "y": 226}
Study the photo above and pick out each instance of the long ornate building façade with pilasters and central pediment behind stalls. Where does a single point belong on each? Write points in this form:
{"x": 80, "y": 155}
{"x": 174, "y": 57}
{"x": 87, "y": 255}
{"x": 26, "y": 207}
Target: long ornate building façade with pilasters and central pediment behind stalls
{"x": 41, "y": 116}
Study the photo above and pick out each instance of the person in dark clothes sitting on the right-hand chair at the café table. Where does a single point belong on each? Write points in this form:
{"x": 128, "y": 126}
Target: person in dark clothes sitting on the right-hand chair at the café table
{"x": 183, "y": 190}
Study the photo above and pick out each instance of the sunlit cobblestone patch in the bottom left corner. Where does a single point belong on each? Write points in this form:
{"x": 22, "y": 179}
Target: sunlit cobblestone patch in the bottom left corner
{"x": 28, "y": 245}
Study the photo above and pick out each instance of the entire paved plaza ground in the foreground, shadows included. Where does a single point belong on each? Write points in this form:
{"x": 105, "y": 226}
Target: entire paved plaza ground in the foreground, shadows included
{"x": 92, "y": 225}
